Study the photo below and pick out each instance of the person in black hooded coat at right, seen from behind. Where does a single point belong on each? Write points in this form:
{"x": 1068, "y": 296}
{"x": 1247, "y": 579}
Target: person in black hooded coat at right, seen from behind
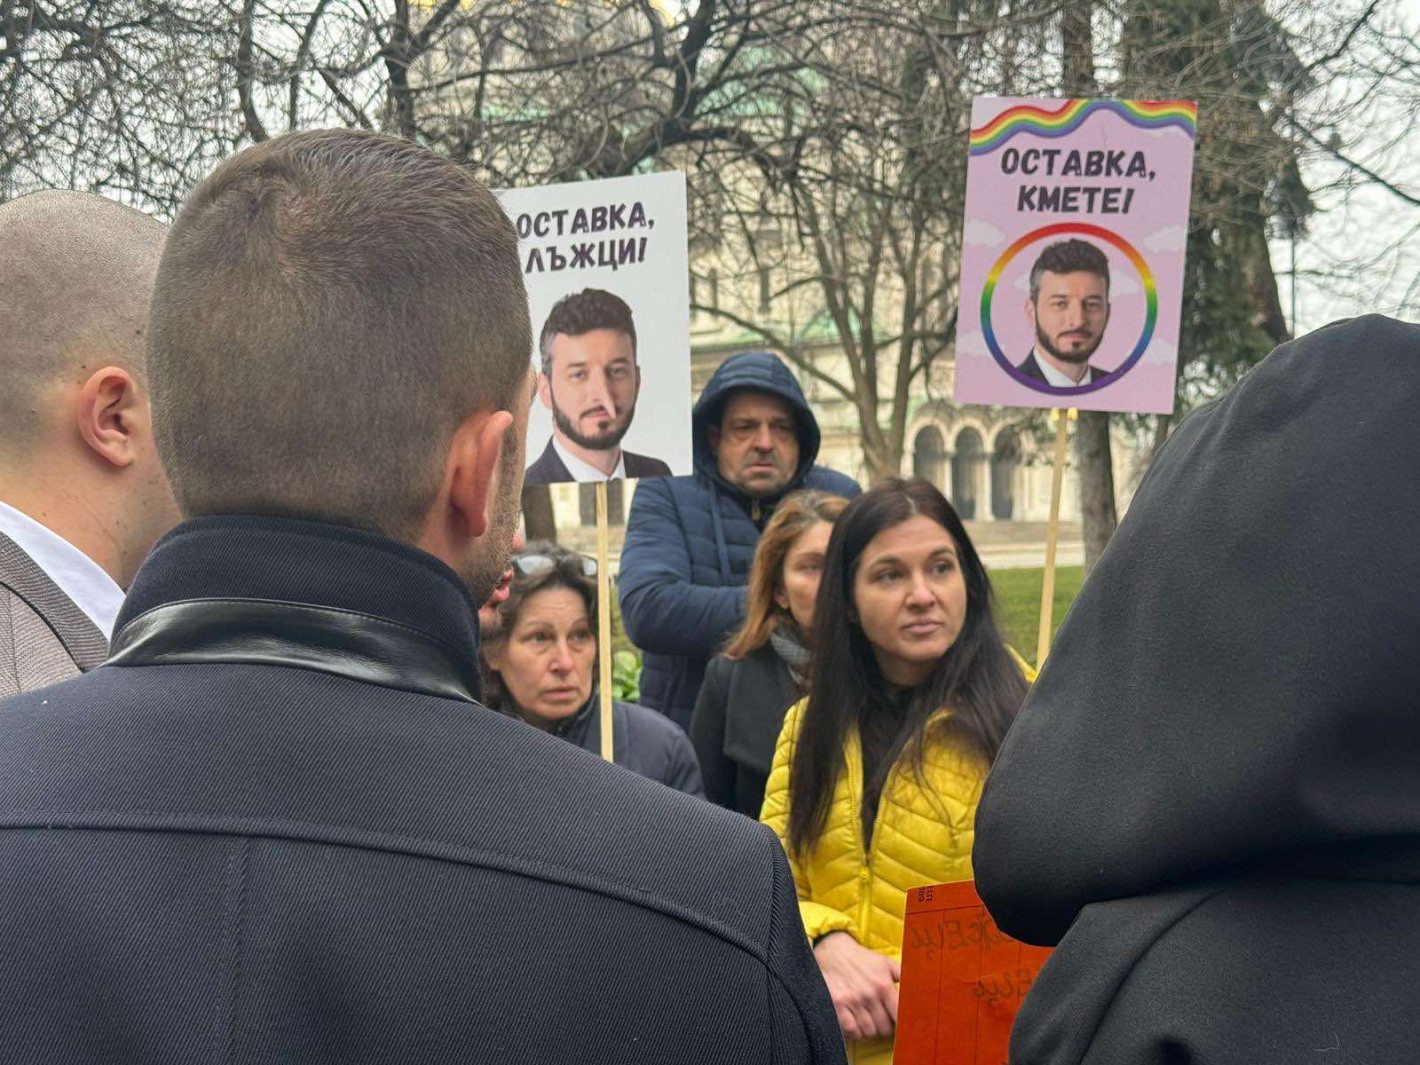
{"x": 1212, "y": 797}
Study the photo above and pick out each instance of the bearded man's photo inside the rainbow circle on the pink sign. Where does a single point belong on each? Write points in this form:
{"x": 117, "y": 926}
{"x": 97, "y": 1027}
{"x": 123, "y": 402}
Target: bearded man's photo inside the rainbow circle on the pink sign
{"x": 1070, "y": 312}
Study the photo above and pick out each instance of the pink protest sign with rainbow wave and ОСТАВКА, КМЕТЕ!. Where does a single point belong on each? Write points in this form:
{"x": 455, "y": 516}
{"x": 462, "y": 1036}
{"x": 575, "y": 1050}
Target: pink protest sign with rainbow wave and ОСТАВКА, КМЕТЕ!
{"x": 1077, "y": 222}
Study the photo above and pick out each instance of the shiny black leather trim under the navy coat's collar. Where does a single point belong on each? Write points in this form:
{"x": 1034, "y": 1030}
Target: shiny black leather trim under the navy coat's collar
{"x": 269, "y": 633}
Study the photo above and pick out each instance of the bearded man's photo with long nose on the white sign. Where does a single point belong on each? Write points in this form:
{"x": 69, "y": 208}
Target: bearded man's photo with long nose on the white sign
{"x": 590, "y": 380}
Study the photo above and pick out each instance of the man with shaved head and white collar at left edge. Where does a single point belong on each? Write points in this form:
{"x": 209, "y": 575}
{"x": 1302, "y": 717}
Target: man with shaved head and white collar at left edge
{"x": 83, "y": 496}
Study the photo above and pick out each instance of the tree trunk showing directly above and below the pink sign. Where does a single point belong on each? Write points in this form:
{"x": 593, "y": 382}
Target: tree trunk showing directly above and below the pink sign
{"x": 1097, "y": 471}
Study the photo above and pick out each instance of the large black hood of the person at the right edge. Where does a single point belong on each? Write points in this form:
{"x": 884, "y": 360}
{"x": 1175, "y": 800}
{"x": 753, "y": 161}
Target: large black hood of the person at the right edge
{"x": 1238, "y": 681}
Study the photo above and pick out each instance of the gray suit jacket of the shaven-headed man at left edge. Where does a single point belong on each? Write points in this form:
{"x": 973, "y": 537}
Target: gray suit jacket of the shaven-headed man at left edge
{"x": 45, "y": 638}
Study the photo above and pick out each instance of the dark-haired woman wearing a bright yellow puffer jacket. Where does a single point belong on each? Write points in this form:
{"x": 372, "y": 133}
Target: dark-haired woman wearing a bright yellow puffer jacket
{"x": 877, "y": 775}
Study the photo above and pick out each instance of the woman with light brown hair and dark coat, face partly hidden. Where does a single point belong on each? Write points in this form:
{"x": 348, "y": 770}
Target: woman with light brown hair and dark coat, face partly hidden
{"x": 765, "y": 670}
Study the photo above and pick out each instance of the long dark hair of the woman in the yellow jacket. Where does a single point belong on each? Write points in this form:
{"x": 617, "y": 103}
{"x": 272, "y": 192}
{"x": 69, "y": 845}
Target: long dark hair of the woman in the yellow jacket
{"x": 978, "y": 677}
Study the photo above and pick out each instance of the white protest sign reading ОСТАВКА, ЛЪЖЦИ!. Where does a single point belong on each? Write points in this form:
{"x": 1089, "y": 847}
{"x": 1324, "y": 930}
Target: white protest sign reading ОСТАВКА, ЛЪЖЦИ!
{"x": 607, "y": 272}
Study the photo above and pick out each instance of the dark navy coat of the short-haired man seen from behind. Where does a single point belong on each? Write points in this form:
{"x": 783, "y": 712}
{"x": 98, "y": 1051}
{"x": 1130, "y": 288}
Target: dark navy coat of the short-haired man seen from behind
{"x": 276, "y": 826}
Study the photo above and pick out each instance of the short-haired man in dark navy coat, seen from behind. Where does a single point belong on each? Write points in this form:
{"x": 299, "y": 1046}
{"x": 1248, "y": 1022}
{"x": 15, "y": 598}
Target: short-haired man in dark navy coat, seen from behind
{"x": 278, "y": 826}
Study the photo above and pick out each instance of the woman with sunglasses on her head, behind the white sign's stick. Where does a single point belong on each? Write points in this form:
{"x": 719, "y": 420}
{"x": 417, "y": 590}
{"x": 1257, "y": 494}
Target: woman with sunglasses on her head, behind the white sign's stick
{"x": 540, "y": 665}
